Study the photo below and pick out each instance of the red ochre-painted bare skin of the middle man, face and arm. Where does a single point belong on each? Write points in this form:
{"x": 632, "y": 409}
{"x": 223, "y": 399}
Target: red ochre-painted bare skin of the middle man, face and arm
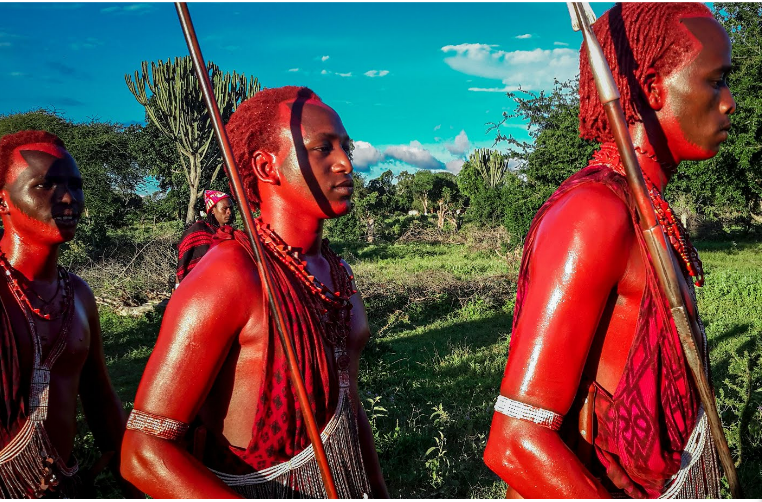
{"x": 191, "y": 373}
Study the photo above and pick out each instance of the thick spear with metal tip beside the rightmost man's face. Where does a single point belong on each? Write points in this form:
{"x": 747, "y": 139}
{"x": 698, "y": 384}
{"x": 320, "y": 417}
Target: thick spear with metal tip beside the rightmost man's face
{"x": 663, "y": 260}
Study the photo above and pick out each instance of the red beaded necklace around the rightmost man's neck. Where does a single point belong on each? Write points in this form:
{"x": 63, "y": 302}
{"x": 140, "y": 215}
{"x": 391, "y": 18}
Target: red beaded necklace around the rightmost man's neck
{"x": 608, "y": 155}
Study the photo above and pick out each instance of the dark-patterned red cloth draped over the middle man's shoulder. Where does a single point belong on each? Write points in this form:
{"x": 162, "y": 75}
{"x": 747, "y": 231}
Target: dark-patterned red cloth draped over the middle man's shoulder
{"x": 279, "y": 432}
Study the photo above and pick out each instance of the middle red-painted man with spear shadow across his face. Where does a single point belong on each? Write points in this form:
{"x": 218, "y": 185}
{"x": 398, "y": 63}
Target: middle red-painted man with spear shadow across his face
{"x": 218, "y": 362}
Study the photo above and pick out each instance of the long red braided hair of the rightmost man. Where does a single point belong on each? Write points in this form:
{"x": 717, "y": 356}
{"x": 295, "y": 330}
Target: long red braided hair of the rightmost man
{"x": 634, "y": 37}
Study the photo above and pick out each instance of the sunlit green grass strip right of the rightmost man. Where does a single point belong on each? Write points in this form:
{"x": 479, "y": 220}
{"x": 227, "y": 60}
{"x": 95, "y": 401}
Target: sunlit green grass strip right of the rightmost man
{"x": 730, "y": 304}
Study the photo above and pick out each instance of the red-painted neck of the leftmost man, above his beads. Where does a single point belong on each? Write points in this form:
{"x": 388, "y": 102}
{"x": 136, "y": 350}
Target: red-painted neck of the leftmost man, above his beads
{"x": 36, "y": 261}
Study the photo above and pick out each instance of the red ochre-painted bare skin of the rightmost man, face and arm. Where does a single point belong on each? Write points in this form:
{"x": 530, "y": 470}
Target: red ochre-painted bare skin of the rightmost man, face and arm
{"x": 586, "y": 279}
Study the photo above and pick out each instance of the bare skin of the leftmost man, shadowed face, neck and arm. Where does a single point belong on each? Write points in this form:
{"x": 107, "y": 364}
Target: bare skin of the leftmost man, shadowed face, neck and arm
{"x": 40, "y": 204}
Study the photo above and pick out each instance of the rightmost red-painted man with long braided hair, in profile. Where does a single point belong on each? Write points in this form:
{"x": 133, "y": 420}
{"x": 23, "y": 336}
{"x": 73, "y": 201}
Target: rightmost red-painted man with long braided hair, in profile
{"x": 592, "y": 341}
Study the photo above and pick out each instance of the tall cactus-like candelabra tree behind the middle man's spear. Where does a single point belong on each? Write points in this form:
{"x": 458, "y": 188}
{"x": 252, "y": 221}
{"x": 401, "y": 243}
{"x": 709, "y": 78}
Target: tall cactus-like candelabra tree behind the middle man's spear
{"x": 176, "y": 107}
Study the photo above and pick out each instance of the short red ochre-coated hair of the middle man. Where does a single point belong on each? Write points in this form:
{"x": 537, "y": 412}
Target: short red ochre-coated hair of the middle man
{"x": 253, "y": 126}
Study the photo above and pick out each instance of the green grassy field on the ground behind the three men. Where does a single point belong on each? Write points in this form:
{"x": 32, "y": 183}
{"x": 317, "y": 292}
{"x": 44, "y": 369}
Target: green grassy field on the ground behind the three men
{"x": 441, "y": 317}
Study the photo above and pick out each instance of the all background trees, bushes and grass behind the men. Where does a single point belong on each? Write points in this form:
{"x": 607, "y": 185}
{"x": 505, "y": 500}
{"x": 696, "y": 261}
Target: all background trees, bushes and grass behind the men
{"x": 436, "y": 256}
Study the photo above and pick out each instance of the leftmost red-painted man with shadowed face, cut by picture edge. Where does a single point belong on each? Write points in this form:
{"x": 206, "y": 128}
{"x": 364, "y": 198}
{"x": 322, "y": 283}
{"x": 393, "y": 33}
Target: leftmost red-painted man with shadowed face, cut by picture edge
{"x": 52, "y": 313}
